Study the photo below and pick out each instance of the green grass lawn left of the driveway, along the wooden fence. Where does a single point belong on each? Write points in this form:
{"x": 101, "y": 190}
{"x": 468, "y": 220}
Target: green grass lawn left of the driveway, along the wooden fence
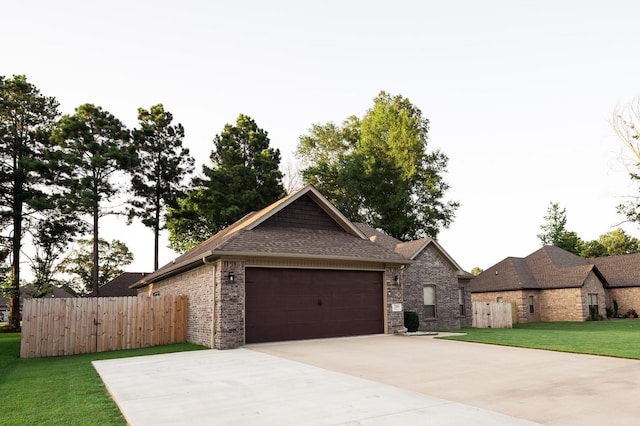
{"x": 60, "y": 390}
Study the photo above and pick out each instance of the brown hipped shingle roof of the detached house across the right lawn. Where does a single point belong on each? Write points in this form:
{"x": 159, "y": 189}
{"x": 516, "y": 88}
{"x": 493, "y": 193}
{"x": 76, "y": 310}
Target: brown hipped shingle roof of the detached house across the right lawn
{"x": 547, "y": 268}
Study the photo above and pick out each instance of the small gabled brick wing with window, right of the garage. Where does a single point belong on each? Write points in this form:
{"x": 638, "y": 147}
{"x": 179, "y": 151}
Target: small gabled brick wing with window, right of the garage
{"x": 434, "y": 286}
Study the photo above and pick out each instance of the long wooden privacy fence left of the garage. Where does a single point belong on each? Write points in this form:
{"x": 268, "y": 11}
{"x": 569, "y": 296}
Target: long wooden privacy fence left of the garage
{"x": 52, "y": 327}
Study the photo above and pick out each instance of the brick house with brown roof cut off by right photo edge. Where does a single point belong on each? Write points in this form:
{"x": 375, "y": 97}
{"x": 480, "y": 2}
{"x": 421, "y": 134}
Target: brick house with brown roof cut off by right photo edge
{"x": 623, "y": 278}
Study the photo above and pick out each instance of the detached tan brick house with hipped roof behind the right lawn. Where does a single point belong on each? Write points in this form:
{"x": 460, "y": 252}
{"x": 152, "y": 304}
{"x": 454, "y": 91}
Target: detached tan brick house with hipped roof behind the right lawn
{"x": 550, "y": 284}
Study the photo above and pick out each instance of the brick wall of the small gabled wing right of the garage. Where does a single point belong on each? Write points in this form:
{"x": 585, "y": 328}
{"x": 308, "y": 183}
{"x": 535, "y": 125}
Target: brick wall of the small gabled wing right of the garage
{"x": 431, "y": 268}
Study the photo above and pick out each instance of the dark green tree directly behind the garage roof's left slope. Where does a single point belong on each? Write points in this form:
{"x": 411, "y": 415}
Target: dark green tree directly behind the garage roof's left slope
{"x": 244, "y": 177}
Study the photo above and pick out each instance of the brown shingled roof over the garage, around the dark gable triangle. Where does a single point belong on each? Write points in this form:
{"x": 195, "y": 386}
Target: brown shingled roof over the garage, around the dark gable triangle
{"x": 246, "y": 238}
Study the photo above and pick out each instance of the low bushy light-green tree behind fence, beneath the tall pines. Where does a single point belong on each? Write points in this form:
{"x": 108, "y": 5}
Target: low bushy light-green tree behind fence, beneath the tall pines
{"x": 79, "y": 264}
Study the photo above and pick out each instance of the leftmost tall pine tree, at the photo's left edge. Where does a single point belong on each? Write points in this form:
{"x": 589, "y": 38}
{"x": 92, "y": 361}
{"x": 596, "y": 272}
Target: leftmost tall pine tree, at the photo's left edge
{"x": 26, "y": 118}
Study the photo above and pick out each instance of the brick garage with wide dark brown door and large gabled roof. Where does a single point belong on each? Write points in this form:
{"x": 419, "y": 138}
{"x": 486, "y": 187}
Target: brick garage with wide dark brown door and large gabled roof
{"x": 297, "y": 269}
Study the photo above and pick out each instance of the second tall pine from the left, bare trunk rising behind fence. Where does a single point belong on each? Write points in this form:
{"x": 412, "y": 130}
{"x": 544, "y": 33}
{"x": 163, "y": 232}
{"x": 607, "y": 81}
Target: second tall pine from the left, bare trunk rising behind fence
{"x": 97, "y": 151}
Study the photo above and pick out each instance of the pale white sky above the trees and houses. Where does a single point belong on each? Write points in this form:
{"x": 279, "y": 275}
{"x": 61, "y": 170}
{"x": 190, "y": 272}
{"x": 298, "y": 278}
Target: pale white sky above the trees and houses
{"x": 520, "y": 94}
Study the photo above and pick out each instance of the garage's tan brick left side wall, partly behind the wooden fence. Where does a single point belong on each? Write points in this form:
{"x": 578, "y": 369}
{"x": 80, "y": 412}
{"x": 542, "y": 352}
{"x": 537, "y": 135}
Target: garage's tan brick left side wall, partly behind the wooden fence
{"x": 197, "y": 285}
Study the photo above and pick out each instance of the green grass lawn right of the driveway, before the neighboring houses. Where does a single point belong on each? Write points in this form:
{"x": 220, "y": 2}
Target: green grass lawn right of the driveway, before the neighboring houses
{"x": 617, "y": 338}
